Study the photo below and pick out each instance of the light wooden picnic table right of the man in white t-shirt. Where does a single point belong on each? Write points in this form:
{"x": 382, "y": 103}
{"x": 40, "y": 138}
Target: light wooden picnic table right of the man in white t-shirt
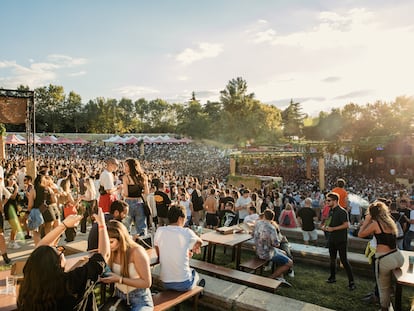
{"x": 233, "y": 240}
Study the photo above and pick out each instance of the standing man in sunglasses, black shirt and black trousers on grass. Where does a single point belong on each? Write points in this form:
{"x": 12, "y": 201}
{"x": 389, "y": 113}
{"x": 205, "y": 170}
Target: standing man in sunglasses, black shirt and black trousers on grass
{"x": 337, "y": 224}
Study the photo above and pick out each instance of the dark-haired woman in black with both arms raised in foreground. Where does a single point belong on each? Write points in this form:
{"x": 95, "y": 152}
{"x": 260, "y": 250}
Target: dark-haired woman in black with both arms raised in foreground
{"x": 46, "y": 286}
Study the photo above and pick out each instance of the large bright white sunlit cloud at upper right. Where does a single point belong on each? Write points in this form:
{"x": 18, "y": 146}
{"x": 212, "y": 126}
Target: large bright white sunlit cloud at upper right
{"x": 362, "y": 57}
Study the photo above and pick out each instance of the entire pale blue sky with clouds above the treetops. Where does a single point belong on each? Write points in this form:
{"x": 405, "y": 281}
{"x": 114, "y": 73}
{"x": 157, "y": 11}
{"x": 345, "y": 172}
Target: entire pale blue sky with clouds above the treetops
{"x": 322, "y": 54}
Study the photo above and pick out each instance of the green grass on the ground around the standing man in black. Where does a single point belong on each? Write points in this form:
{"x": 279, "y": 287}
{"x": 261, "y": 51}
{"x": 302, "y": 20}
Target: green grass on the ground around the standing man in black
{"x": 309, "y": 285}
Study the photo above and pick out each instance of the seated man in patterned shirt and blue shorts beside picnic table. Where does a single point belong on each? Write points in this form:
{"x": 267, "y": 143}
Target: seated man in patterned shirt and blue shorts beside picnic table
{"x": 267, "y": 243}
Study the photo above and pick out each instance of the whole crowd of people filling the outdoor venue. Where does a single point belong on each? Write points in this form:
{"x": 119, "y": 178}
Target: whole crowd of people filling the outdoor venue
{"x": 180, "y": 186}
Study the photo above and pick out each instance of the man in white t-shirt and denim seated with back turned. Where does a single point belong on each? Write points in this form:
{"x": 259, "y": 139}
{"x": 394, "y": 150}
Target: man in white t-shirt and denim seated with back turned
{"x": 175, "y": 245}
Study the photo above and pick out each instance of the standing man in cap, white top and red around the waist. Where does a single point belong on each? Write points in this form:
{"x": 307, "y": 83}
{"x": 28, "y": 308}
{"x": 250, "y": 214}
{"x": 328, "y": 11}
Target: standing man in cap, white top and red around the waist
{"x": 107, "y": 189}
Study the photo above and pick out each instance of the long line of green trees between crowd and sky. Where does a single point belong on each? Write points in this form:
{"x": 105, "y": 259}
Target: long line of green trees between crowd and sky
{"x": 237, "y": 118}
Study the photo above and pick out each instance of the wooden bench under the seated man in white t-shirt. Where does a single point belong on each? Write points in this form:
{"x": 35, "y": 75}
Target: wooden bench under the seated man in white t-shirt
{"x": 168, "y": 298}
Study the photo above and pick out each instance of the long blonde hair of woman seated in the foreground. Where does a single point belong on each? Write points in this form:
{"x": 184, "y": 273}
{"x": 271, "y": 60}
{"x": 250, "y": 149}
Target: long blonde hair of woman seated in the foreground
{"x": 117, "y": 230}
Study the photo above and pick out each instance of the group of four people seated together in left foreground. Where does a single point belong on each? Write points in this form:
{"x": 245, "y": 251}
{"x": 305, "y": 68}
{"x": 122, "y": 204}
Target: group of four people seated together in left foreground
{"x": 118, "y": 260}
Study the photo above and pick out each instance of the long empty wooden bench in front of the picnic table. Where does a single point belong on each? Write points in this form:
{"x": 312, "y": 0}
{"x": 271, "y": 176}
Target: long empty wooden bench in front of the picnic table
{"x": 252, "y": 280}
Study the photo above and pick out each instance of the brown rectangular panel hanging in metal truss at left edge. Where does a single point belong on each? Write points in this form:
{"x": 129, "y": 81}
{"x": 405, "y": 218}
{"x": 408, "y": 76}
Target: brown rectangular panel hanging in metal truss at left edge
{"x": 13, "y": 110}
